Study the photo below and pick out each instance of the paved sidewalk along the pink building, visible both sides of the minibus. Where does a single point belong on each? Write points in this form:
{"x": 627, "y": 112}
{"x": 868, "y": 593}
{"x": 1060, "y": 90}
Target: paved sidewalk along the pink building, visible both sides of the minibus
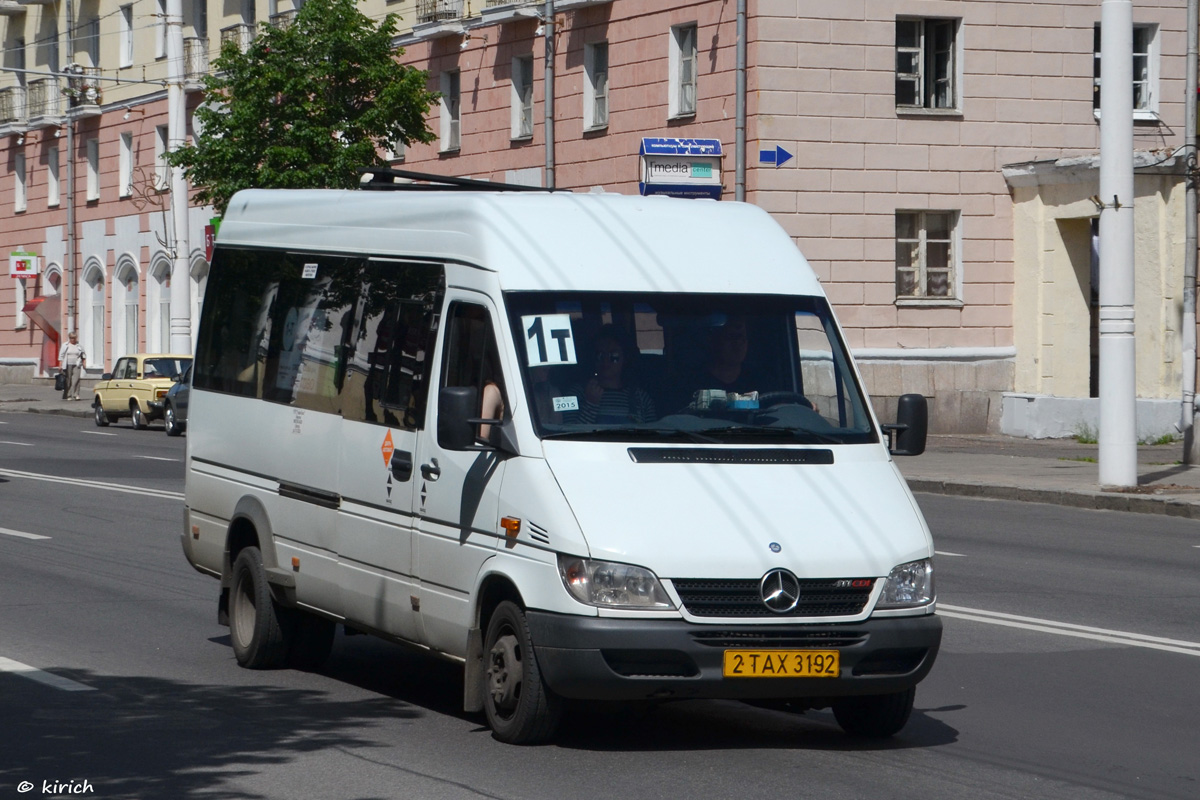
{"x": 1039, "y": 471}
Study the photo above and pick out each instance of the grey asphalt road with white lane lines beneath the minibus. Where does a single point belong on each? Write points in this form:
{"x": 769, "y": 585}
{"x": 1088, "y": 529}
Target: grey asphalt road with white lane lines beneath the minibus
{"x": 1071, "y": 669}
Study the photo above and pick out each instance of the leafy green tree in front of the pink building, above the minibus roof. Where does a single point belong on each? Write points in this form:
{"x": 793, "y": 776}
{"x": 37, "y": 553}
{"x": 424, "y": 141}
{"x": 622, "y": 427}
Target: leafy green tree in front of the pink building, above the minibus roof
{"x": 305, "y": 106}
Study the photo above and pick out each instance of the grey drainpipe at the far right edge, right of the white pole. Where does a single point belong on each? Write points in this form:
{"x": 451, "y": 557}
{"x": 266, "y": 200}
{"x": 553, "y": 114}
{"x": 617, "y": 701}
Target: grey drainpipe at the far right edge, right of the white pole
{"x": 1187, "y": 413}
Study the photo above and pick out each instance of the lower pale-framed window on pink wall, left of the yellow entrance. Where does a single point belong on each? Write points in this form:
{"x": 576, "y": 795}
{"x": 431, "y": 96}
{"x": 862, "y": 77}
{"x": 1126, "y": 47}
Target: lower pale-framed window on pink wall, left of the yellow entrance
{"x": 927, "y": 246}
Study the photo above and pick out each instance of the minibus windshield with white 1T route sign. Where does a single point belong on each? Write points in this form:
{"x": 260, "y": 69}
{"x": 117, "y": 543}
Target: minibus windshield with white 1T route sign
{"x": 730, "y": 369}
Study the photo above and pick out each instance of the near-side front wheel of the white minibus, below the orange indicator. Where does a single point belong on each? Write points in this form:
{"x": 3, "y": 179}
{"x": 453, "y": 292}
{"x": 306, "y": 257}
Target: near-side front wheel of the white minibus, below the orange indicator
{"x": 520, "y": 708}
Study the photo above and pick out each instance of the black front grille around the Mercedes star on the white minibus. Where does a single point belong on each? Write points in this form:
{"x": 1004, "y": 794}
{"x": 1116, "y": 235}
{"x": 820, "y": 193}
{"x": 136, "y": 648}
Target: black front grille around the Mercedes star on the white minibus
{"x": 819, "y": 598}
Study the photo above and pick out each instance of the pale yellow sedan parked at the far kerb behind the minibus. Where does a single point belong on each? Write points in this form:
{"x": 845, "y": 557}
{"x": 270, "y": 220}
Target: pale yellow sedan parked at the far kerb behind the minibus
{"x": 137, "y": 387}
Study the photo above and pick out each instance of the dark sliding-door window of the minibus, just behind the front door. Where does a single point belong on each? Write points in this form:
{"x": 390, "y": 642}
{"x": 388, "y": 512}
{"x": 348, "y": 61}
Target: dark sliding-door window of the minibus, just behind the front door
{"x": 385, "y": 359}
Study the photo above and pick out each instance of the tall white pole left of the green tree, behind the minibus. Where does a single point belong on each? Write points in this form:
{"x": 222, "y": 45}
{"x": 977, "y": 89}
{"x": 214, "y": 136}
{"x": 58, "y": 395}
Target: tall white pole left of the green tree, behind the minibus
{"x": 177, "y": 116}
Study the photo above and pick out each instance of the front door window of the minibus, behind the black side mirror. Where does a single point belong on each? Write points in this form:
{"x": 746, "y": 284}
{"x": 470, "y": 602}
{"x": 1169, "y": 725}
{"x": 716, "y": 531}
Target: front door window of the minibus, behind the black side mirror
{"x": 472, "y": 359}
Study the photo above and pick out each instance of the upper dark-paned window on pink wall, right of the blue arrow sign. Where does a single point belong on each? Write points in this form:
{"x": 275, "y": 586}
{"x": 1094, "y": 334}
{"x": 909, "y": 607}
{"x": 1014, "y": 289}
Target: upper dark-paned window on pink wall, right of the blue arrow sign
{"x": 927, "y": 64}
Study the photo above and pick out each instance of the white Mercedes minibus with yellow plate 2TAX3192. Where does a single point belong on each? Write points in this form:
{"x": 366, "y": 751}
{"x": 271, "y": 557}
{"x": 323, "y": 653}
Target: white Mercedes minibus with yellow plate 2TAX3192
{"x": 591, "y": 447}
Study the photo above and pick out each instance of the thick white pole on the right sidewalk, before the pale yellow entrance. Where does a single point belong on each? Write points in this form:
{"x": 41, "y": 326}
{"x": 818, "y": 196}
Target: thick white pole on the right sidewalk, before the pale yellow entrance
{"x": 1119, "y": 389}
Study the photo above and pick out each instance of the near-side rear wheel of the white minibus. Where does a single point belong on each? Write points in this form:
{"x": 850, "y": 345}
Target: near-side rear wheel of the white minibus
{"x": 257, "y": 624}
